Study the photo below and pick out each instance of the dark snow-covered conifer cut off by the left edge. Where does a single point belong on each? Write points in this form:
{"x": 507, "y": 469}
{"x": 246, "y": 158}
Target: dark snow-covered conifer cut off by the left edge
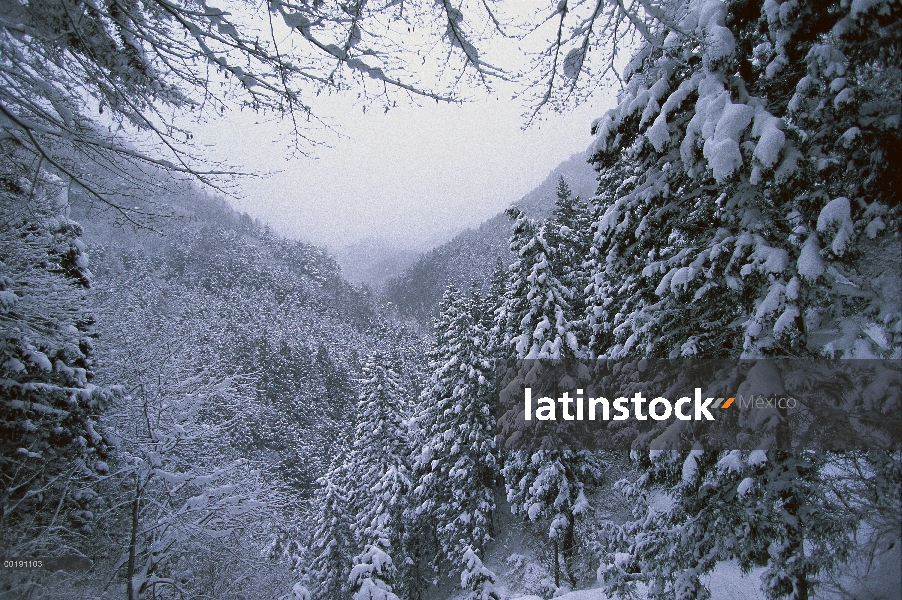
{"x": 50, "y": 410}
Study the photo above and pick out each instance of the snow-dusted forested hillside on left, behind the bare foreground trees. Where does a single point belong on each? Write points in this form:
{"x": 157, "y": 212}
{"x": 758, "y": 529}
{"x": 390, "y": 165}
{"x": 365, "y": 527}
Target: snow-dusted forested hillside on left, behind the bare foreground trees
{"x": 271, "y": 311}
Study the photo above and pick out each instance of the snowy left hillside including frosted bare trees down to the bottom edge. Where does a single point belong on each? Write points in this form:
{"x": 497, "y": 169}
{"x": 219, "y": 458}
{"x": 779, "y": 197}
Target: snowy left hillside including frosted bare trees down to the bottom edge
{"x": 231, "y": 361}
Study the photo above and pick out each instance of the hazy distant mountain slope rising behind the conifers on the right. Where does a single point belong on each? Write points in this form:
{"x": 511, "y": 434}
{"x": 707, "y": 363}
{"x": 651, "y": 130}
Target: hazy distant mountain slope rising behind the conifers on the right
{"x": 473, "y": 254}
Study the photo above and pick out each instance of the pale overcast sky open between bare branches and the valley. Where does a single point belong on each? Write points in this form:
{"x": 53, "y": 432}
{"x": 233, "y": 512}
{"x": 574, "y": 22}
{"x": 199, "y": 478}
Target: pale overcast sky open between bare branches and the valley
{"x": 413, "y": 177}
